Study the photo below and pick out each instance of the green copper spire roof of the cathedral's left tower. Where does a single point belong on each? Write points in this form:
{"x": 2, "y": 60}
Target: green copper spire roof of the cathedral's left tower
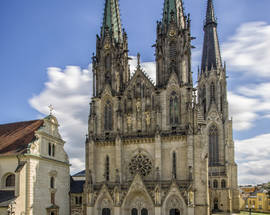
{"x": 112, "y": 20}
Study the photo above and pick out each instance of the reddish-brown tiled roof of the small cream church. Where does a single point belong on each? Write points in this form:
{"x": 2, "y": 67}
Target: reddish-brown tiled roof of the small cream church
{"x": 15, "y": 137}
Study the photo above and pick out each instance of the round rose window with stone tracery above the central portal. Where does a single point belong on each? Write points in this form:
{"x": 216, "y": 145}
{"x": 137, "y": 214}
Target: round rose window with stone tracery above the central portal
{"x": 141, "y": 164}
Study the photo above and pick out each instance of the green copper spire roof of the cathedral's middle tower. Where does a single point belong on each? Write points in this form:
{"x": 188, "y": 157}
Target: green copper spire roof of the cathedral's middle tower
{"x": 173, "y": 9}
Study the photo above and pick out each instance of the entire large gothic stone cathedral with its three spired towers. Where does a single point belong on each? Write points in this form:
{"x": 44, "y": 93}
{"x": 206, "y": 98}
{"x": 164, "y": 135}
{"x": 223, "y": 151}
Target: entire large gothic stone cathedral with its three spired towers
{"x": 165, "y": 147}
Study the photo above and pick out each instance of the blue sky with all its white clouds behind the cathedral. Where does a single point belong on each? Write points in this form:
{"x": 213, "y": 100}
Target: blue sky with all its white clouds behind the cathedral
{"x": 39, "y": 39}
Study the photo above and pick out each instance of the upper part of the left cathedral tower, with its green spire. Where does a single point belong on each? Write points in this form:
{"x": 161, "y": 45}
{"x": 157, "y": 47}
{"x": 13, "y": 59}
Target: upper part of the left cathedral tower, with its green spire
{"x": 110, "y": 65}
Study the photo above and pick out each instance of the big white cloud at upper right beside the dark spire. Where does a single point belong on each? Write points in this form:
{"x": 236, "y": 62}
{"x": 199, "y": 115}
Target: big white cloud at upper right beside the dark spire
{"x": 247, "y": 51}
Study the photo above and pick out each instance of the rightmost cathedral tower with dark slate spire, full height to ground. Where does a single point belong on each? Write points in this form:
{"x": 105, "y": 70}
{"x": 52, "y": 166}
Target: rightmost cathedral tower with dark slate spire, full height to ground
{"x": 212, "y": 92}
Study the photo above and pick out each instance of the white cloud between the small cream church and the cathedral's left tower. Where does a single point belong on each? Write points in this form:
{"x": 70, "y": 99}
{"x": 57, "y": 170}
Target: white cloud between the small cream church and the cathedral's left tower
{"x": 69, "y": 92}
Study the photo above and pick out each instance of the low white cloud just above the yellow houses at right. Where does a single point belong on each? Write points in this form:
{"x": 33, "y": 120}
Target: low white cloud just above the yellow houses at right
{"x": 253, "y": 158}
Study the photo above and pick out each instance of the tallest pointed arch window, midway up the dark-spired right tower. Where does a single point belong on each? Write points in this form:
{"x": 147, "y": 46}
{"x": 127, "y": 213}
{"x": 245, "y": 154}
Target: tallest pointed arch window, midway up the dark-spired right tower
{"x": 213, "y": 146}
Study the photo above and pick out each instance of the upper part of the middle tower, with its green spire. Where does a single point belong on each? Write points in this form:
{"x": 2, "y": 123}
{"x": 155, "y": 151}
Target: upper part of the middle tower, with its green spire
{"x": 173, "y": 49}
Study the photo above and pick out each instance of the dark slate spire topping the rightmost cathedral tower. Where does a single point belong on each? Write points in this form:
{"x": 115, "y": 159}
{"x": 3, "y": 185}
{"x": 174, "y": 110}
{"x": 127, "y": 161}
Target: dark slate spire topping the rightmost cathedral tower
{"x": 211, "y": 57}
